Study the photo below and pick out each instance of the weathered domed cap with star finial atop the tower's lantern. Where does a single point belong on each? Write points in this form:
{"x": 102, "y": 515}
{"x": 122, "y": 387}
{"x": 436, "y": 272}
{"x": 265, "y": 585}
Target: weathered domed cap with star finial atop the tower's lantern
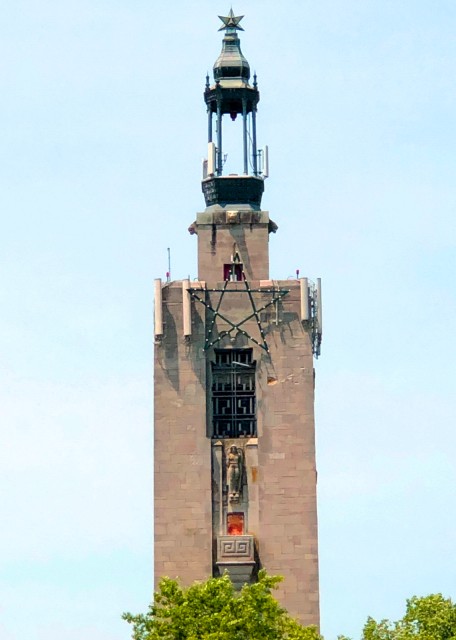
{"x": 231, "y": 64}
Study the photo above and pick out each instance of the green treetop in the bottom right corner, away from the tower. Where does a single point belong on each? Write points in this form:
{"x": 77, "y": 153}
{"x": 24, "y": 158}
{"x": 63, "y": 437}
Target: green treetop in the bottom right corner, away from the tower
{"x": 430, "y": 618}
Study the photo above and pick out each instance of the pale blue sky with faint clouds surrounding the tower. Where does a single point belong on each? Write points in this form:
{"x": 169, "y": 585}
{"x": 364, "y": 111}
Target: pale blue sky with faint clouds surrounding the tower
{"x": 103, "y": 130}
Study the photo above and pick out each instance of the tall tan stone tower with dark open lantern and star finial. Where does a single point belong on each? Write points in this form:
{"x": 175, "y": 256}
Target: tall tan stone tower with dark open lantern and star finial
{"x": 235, "y": 474}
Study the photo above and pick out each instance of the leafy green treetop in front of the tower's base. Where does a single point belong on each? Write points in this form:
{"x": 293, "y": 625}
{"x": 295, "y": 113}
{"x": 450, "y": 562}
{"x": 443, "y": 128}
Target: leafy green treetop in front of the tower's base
{"x": 213, "y": 610}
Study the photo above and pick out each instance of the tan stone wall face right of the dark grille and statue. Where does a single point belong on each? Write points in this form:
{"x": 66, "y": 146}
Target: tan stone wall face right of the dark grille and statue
{"x": 288, "y": 537}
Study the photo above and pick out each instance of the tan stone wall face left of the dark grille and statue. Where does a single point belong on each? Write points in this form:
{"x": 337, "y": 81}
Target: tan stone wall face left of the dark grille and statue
{"x": 182, "y": 470}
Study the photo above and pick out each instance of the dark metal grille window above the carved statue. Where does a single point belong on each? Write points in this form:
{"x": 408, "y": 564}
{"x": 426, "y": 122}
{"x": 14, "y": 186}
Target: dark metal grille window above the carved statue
{"x": 233, "y": 394}
